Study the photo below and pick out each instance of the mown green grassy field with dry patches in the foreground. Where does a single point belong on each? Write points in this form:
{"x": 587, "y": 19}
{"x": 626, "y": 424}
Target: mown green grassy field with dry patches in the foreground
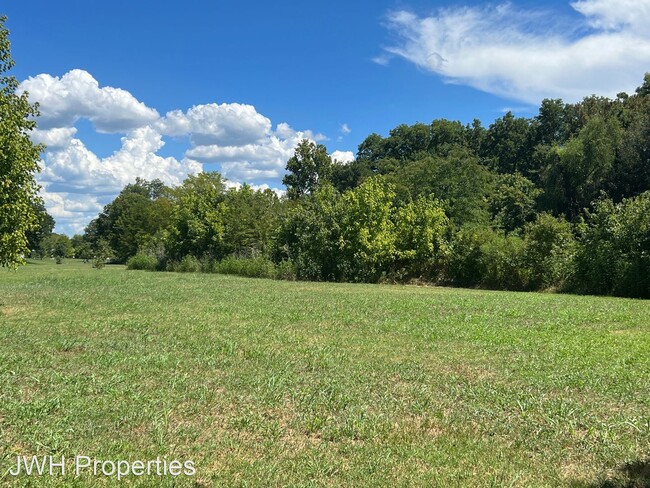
{"x": 268, "y": 383}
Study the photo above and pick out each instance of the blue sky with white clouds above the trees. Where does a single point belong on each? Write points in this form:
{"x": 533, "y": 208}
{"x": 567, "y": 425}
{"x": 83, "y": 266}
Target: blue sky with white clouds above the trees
{"x": 163, "y": 89}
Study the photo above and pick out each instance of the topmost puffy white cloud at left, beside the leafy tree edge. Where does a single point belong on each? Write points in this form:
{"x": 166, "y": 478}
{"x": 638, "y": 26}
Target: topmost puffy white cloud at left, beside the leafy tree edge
{"x": 77, "y": 95}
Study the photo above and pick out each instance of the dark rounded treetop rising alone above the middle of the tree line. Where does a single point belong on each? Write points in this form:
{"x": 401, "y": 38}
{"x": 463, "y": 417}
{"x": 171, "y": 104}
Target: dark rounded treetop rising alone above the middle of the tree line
{"x": 308, "y": 168}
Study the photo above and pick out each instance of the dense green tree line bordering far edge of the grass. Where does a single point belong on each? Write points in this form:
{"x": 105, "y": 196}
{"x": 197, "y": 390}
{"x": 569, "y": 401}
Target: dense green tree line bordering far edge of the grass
{"x": 558, "y": 201}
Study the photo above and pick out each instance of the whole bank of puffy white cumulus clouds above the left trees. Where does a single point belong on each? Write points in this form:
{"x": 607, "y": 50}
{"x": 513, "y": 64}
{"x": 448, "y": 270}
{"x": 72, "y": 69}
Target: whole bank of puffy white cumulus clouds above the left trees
{"x": 77, "y": 183}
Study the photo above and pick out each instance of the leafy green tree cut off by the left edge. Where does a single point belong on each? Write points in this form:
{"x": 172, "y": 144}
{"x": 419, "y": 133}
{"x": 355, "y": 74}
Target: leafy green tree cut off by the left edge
{"x": 19, "y": 159}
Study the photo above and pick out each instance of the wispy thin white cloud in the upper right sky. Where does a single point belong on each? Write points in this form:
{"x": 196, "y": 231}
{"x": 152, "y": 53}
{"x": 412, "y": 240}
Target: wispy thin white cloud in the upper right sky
{"x": 528, "y": 55}
